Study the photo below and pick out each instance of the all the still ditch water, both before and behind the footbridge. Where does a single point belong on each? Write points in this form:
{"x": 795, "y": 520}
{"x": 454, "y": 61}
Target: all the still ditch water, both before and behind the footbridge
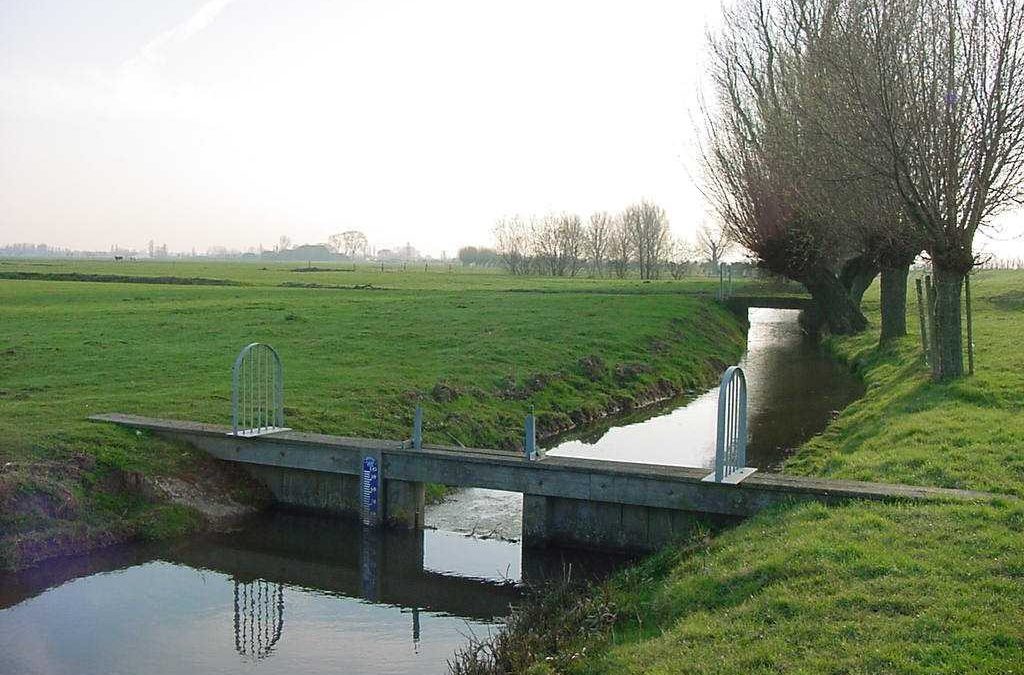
{"x": 306, "y": 595}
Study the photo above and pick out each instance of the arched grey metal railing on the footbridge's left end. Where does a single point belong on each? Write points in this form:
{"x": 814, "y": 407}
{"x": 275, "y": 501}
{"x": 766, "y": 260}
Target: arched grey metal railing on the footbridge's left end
{"x": 258, "y": 392}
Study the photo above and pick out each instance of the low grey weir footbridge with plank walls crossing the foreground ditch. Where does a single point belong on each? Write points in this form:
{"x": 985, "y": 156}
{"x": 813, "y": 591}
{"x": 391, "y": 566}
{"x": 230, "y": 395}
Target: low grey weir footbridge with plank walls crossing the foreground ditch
{"x": 567, "y": 501}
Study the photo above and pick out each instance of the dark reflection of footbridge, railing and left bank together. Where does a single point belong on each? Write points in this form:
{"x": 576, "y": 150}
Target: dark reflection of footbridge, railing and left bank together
{"x": 284, "y": 554}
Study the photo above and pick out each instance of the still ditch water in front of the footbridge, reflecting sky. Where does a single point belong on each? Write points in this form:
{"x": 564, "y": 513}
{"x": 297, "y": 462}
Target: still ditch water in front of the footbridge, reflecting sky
{"x": 288, "y": 594}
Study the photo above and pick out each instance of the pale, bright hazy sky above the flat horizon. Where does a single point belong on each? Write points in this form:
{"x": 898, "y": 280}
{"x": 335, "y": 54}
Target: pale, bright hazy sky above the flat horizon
{"x": 232, "y": 122}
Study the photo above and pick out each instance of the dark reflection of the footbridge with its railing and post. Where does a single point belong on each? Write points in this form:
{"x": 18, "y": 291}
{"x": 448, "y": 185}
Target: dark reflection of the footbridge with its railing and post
{"x": 343, "y": 559}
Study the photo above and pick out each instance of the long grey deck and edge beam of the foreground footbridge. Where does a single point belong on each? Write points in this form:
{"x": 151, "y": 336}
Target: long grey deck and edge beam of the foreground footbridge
{"x": 596, "y": 481}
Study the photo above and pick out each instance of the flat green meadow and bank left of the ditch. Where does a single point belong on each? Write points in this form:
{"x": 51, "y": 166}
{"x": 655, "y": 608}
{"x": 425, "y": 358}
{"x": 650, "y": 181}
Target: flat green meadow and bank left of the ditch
{"x": 478, "y": 351}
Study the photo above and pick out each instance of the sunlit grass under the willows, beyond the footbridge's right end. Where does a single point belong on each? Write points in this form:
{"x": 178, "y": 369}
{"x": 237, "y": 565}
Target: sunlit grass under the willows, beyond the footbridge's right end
{"x": 969, "y": 434}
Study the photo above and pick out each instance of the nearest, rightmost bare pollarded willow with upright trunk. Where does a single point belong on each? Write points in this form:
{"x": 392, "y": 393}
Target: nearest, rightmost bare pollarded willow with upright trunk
{"x": 937, "y": 87}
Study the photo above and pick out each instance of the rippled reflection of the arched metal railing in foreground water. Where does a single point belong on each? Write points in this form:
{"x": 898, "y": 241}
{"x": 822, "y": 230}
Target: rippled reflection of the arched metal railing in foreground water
{"x": 260, "y": 617}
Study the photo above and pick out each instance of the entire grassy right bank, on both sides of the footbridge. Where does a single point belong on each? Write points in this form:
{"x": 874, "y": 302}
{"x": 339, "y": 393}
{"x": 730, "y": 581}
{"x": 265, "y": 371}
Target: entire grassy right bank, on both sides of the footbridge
{"x": 859, "y": 588}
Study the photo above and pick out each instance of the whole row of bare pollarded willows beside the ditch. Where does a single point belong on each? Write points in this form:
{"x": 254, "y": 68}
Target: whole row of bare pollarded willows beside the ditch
{"x": 845, "y": 139}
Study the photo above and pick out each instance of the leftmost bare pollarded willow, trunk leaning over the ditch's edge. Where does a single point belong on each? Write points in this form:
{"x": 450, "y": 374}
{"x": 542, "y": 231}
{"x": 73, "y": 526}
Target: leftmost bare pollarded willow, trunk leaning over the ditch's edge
{"x": 762, "y": 161}
